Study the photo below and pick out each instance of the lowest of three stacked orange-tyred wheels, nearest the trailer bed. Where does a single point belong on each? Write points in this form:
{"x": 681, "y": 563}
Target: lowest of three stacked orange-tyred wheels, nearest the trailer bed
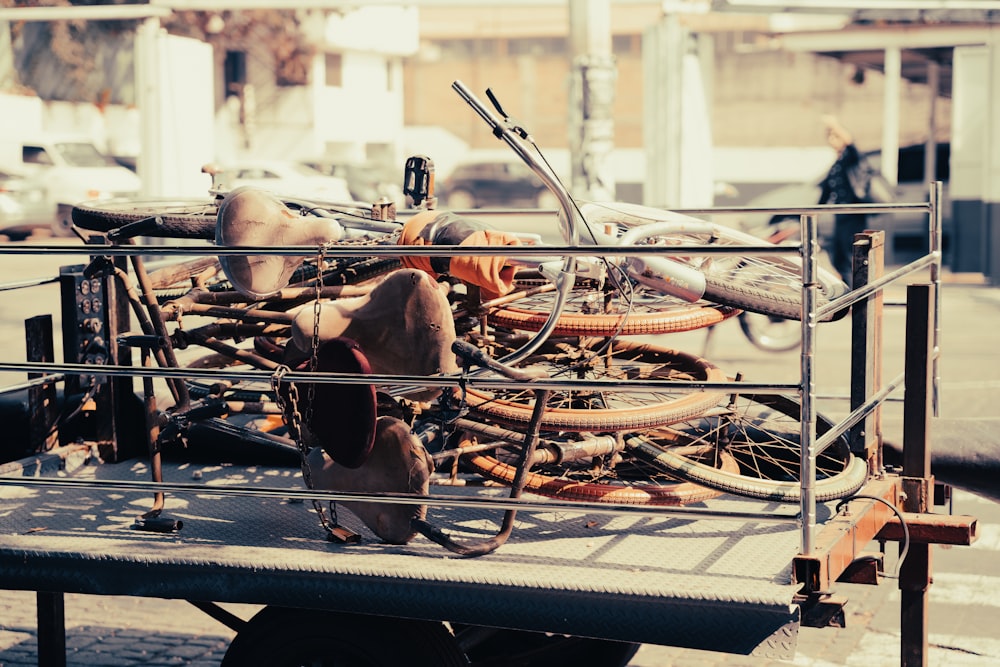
{"x": 567, "y": 469}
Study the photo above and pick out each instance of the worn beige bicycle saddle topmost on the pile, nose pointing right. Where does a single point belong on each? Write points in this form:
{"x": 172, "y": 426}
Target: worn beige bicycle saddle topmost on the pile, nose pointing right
{"x": 250, "y": 216}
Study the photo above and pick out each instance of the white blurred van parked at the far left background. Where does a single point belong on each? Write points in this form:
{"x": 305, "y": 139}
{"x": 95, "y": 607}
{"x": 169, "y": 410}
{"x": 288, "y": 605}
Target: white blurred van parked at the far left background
{"x": 74, "y": 170}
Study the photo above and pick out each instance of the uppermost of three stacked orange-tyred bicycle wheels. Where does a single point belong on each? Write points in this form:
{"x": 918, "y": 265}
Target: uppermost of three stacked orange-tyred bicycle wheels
{"x": 592, "y": 311}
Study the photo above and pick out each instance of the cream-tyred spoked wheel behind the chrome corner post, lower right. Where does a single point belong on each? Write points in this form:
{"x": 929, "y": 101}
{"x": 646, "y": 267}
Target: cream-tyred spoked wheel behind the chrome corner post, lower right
{"x": 762, "y": 433}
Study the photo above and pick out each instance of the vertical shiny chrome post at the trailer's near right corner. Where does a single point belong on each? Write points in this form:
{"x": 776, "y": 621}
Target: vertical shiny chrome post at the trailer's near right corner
{"x": 807, "y": 462}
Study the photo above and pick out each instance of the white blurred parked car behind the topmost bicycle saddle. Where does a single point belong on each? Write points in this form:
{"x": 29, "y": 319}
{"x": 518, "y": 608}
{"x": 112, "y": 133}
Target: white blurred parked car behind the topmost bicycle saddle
{"x": 286, "y": 178}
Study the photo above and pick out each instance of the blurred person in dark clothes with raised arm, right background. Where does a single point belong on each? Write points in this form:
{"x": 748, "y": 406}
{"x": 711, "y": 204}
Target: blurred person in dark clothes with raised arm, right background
{"x": 837, "y": 189}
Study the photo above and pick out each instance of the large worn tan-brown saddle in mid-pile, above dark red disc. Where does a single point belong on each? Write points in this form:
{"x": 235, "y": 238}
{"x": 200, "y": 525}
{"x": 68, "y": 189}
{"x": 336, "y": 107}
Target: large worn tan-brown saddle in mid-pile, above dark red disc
{"x": 404, "y": 326}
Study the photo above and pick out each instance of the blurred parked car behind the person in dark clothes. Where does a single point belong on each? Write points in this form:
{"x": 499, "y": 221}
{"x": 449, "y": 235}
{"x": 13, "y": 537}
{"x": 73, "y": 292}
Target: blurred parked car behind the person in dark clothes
{"x": 906, "y": 233}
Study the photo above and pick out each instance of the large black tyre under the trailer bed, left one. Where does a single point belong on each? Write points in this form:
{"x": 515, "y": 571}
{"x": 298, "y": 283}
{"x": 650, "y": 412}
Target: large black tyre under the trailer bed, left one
{"x": 286, "y": 637}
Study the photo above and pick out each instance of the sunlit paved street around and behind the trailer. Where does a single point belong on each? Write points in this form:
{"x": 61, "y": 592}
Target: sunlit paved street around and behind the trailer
{"x": 964, "y": 613}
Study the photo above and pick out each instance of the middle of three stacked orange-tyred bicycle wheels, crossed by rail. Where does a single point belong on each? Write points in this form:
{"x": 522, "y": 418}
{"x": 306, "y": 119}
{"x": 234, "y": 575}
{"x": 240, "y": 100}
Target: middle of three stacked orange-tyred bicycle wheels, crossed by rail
{"x": 595, "y": 410}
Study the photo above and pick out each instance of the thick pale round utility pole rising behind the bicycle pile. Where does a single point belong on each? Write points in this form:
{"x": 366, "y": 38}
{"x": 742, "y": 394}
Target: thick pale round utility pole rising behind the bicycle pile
{"x": 592, "y": 96}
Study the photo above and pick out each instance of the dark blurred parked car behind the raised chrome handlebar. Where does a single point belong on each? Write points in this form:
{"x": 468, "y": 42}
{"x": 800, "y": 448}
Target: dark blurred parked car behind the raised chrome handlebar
{"x": 495, "y": 183}
